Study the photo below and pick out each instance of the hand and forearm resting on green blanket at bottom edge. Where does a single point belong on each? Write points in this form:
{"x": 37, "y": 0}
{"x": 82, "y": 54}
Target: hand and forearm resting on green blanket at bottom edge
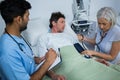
{"x": 55, "y": 76}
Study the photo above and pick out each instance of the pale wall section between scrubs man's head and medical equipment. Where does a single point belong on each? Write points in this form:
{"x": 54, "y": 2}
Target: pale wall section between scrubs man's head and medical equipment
{"x": 44, "y": 8}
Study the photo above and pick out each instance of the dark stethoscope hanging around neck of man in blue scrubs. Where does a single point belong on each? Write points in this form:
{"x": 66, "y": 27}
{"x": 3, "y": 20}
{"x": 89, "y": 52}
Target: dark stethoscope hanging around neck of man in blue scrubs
{"x": 30, "y": 56}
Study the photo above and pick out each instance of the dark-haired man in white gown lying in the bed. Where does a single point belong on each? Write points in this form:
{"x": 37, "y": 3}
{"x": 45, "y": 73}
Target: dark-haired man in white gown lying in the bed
{"x": 56, "y": 37}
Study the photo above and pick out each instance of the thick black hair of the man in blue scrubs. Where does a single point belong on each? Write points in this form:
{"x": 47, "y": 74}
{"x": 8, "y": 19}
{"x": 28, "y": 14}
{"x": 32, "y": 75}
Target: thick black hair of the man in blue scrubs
{"x": 12, "y": 8}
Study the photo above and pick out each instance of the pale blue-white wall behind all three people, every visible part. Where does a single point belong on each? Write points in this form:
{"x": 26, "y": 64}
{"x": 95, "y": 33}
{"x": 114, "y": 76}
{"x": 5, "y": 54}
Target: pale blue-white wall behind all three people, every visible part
{"x": 43, "y": 8}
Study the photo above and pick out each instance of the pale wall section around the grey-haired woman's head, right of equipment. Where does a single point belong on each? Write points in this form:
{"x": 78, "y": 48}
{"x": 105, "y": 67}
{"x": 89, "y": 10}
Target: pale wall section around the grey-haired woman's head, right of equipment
{"x": 95, "y": 5}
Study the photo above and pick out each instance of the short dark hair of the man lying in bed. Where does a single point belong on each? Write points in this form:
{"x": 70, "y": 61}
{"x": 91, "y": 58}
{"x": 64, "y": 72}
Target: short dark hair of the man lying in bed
{"x": 54, "y": 17}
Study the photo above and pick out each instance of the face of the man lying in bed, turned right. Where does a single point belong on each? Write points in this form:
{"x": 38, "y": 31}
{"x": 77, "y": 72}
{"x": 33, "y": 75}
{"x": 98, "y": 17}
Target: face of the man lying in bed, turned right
{"x": 60, "y": 25}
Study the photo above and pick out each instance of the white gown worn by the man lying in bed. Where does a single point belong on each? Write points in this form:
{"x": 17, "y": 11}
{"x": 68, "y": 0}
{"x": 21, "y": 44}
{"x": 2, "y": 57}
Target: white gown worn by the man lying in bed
{"x": 55, "y": 41}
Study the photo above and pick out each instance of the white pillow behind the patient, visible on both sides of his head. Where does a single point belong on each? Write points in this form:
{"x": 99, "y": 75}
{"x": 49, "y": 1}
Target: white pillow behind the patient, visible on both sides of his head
{"x": 36, "y": 27}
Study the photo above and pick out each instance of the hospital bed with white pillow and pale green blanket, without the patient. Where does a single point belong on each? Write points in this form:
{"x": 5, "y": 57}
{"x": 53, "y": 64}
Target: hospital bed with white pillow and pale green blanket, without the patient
{"x": 73, "y": 66}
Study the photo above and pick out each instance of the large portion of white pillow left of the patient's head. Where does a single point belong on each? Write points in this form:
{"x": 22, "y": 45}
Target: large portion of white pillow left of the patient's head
{"x": 35, "y": 28}
